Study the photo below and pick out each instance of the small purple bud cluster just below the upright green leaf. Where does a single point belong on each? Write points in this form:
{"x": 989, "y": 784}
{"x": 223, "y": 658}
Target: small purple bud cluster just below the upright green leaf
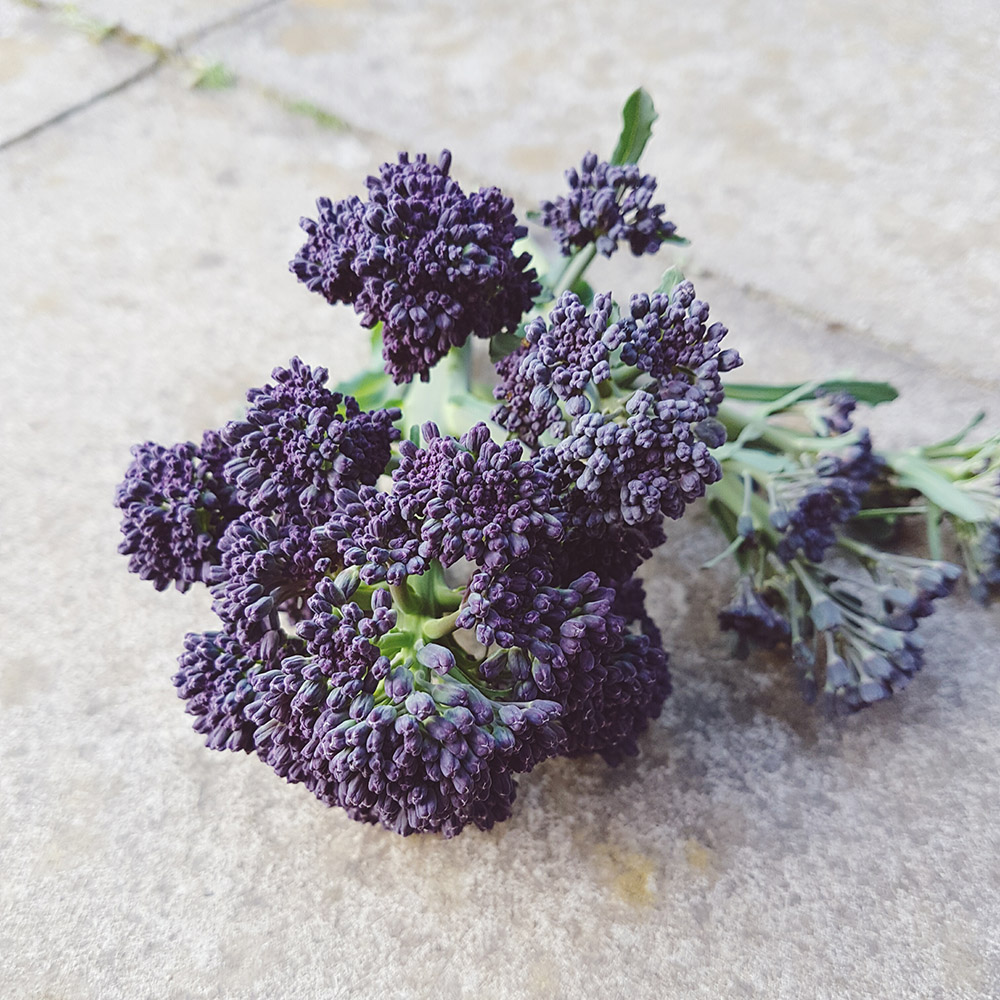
{"x": 608, "y": 205}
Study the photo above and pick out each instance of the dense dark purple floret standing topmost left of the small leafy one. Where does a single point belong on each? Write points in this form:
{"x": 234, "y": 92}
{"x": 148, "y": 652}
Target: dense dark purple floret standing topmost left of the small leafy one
{"x": 430, "y": 263}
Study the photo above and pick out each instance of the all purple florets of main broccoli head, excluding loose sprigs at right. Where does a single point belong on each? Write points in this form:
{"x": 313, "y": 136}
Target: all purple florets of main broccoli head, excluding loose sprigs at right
{"x": 404, "y": 626}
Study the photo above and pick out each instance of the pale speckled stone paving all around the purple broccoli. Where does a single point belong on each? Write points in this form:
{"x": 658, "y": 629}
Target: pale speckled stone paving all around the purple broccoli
{"x": 753, "y": 850}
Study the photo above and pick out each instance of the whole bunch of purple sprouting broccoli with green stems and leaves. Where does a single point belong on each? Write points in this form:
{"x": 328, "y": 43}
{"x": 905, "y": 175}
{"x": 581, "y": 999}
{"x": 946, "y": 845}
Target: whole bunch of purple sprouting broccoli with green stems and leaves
{"x": 426, "y": 586}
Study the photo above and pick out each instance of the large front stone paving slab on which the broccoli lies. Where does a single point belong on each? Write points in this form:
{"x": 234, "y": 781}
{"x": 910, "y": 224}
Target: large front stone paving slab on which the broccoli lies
{"x": 752, "y": 850}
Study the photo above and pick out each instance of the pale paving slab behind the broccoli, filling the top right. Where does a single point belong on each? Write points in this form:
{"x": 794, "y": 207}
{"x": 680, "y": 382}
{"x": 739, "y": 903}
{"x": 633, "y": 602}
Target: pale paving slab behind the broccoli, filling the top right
{"x": 839, "y": 155}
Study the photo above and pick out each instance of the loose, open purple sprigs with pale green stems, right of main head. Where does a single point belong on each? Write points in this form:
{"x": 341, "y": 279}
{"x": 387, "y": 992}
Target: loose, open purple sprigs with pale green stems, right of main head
{"x": 846, "y": 612}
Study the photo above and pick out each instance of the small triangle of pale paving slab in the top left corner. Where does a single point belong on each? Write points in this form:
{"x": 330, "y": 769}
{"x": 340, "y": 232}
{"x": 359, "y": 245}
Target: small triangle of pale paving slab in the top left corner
{"x": 46, "y": 68}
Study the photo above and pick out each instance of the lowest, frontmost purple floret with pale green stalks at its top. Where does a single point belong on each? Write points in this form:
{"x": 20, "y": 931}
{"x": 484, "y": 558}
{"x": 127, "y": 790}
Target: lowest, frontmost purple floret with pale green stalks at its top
{"x": 371, "y": 717}
